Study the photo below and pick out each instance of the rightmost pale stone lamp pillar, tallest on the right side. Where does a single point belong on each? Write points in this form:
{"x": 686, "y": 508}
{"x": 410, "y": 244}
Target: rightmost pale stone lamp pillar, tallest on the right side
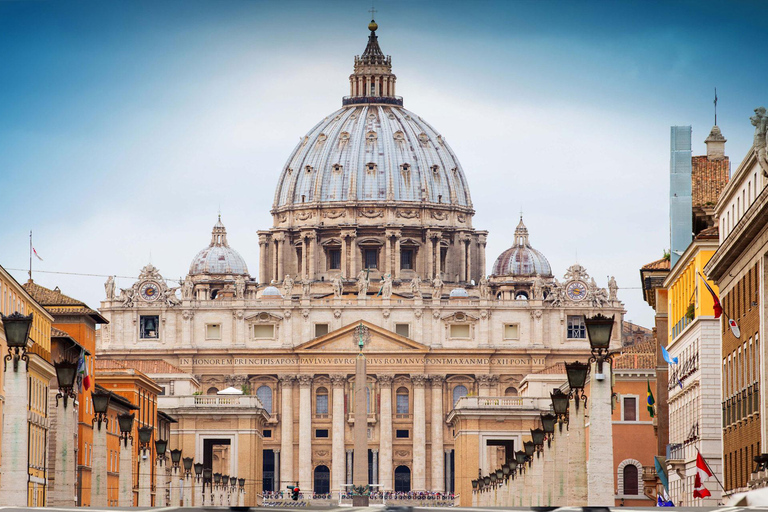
{"x": 600, "y": 476}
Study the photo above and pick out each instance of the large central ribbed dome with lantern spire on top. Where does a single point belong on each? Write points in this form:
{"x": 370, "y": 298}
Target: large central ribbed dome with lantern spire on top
{"x": 372, "y": 149}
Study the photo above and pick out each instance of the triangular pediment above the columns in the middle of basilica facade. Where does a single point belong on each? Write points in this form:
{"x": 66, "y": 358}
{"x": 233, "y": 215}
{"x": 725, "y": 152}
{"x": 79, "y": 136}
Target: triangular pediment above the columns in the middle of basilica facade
{"x": 381, "y": 340}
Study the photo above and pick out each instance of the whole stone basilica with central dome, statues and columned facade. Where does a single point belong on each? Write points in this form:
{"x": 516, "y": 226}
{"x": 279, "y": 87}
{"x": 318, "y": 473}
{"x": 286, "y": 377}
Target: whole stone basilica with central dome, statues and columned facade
{"x": 372, "y": 227}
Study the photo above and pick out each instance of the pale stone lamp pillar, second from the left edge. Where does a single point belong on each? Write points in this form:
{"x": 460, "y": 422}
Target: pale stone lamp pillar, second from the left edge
{"x": 63, "y": 493}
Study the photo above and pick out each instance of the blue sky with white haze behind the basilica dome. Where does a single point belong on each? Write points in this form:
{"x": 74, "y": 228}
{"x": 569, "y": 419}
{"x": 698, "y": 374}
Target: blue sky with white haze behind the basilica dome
{"x": 125, "y": 126}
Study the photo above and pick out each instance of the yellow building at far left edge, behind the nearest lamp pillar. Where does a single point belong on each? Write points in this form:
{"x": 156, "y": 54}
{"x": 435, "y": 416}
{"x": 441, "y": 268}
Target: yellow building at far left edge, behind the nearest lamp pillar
{"x": 40, "y": 371}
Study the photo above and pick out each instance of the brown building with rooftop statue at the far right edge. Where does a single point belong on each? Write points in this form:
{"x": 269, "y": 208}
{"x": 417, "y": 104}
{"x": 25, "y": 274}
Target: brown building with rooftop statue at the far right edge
{"x": 738, "y": 268}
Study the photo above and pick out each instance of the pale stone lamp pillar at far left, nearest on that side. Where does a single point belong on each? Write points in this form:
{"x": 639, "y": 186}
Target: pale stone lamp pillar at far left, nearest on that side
{"x": 16, "y": 434}
